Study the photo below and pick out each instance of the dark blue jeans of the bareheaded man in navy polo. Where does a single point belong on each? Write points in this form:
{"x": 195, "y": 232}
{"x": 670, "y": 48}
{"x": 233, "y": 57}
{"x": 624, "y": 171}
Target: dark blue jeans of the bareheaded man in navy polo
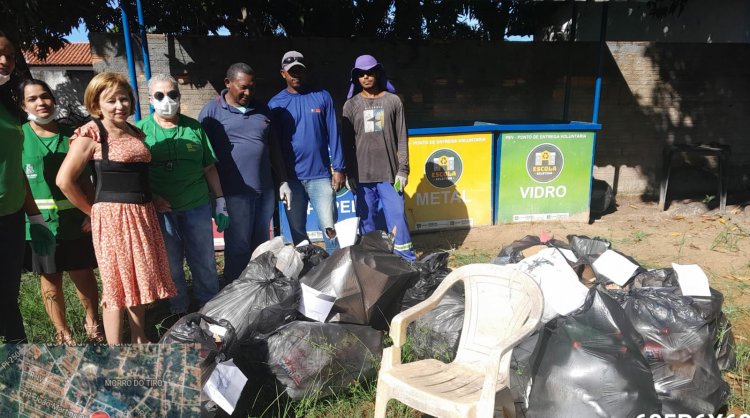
{"x": 250, "y": 226}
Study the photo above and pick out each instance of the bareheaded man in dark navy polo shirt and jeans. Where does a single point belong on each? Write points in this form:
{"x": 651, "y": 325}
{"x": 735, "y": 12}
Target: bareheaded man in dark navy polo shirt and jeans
{"x": 239, "y": 128}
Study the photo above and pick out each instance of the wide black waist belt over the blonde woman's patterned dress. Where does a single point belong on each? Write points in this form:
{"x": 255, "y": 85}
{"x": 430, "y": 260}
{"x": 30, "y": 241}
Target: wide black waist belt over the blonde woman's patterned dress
{"x": 122, "y": 182}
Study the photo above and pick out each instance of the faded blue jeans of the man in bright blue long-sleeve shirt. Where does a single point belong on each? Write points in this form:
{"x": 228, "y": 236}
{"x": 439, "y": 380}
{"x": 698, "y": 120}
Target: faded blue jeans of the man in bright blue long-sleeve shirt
{"x": 321, "y": 195}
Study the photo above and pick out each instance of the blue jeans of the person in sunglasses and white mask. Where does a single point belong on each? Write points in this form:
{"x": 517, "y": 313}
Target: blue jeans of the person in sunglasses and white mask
{"x": 188, "y": 234}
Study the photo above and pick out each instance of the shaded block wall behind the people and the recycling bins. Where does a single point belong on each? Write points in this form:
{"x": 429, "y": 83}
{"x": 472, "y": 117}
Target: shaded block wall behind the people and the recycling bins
{"x": 653, "y": 93}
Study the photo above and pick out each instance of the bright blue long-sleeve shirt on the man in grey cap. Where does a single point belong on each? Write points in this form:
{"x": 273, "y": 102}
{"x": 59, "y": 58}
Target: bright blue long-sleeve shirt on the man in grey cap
{"x": 309, "y": 137}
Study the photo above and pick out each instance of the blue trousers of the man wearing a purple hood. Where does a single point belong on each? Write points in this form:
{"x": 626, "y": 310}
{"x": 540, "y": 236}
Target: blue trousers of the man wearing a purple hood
{"x": 368, "y": 196}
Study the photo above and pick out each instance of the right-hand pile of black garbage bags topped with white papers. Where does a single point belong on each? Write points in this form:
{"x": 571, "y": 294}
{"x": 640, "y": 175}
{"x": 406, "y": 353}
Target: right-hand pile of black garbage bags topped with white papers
{"x": 631, "y": 344}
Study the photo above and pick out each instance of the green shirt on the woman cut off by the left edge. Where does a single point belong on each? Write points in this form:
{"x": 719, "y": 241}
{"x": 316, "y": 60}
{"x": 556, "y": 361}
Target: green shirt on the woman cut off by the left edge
{"x": 12, "y": 189}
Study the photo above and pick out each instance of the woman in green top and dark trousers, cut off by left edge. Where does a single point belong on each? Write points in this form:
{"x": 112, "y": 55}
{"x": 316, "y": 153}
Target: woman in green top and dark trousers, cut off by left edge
{"x": 15, "y": 200}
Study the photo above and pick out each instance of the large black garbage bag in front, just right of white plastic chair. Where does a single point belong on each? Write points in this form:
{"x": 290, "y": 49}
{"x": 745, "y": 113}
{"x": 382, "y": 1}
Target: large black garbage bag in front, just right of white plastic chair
{"x": 588, "y": 364}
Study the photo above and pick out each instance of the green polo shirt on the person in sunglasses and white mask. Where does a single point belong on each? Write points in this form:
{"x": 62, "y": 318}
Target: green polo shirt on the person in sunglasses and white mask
{"x": 178, "y": 157}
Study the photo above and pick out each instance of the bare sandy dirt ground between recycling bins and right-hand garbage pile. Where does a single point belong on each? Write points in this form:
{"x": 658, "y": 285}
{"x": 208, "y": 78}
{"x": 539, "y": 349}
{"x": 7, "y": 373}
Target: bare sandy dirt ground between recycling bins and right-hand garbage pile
{"x": 687, "y": 233}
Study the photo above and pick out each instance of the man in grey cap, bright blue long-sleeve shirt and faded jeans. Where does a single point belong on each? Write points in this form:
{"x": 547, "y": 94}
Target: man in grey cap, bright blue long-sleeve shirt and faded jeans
{"x": 305, "y": 120}
